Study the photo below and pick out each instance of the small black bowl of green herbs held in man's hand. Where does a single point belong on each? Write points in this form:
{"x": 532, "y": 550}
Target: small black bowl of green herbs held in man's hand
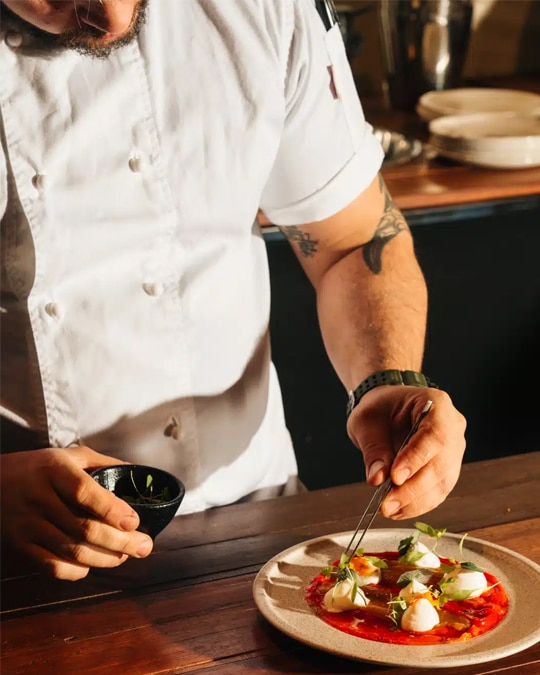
{"x": 153, "y": 493}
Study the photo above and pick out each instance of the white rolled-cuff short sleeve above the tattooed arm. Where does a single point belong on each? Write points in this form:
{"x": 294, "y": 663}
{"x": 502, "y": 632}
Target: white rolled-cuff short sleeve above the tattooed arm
{"x": 328, "y": 154}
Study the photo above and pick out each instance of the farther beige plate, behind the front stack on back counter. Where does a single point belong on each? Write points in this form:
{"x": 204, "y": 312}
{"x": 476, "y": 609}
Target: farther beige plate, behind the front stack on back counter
{"x": 467, "y": 101}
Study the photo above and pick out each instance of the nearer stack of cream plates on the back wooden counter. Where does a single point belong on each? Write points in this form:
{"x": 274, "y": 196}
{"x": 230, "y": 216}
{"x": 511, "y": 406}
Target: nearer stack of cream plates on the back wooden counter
{"x": 494, "y": 140}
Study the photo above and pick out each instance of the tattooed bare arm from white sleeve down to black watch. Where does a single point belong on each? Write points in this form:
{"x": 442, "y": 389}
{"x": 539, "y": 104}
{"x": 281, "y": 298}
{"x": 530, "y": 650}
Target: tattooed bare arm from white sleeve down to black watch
{"x": 371, "y": 294}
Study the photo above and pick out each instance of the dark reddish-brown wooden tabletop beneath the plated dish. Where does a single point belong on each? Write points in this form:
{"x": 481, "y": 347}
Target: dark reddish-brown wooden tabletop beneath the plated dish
{"x": 188, "y": 607}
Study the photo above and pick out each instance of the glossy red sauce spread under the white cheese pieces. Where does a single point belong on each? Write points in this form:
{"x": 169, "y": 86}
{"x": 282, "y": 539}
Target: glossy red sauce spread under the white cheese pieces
{"x": 461, "y": 620}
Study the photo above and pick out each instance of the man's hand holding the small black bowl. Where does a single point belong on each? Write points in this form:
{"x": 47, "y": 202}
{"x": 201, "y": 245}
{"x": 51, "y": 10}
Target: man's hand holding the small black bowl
{"x": 57, "y": 515}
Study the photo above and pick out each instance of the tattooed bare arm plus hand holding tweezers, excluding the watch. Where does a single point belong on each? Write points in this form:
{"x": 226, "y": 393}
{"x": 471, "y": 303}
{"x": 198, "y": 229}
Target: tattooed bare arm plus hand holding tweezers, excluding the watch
{"x": 372, "y": 303}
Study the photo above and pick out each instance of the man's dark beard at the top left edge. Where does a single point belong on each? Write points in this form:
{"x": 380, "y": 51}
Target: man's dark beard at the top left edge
{"x": 85, "y": 40}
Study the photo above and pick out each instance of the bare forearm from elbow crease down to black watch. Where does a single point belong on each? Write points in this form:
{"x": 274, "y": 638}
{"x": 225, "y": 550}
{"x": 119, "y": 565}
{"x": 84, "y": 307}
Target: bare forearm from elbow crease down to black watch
{"x": 372, "y": 310}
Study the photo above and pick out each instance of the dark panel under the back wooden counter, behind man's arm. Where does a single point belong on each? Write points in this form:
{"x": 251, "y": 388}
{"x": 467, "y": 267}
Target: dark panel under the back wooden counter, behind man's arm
{"x": 482, "y": 267}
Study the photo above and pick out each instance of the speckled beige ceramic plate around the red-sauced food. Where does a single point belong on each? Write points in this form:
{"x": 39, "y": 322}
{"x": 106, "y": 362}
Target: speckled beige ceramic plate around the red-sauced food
{"x": 280, "y": 586}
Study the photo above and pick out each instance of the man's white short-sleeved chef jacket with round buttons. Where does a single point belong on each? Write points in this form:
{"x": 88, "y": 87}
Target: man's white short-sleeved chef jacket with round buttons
{"x": 135, "y": 290}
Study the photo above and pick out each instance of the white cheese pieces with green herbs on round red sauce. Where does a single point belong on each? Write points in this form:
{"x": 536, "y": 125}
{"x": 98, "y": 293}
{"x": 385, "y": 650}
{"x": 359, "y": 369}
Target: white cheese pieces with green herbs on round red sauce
{"x": 409, "y": 595}
